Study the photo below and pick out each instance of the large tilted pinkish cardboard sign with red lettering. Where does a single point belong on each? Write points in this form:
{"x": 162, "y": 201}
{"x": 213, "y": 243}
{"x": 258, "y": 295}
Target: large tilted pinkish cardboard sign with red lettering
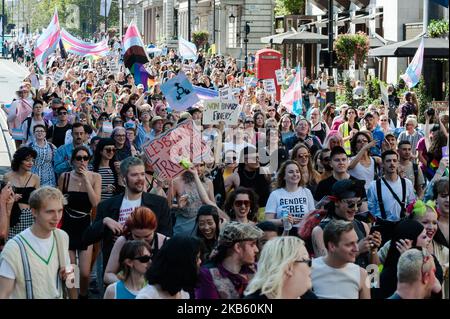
{"x": 169, "y": 152}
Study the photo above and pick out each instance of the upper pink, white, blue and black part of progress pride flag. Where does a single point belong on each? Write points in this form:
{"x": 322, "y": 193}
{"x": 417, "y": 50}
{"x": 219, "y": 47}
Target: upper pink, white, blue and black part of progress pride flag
{"x": 133, "y": 48}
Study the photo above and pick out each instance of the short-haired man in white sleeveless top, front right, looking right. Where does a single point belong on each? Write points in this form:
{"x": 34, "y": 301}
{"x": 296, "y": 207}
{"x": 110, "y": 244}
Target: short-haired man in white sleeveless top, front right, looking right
{"x": 335, "y": 276}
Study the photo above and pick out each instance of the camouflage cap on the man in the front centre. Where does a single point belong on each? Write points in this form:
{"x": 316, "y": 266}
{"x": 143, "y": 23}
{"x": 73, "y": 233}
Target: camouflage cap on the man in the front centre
{"x": 234, "y": 232}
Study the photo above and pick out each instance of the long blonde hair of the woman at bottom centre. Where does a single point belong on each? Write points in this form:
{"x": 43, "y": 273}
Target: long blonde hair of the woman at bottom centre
{"x": 277, "y": 255}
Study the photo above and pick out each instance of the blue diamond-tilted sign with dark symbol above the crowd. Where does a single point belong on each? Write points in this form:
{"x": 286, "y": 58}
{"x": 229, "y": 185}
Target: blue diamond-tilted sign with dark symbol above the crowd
{"x": 179, "y": 92}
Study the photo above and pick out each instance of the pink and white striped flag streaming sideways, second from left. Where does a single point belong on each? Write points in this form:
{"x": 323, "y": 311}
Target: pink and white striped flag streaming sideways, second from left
{"x": 82, "y": 48}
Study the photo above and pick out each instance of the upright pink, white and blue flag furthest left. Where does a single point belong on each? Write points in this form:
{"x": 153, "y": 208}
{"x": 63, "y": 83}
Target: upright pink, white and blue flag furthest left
{"x": 47, "y": 42}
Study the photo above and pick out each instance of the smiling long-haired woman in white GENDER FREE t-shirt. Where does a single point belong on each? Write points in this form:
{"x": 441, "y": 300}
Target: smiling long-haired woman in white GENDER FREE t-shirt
{"x": 291, "y": 199}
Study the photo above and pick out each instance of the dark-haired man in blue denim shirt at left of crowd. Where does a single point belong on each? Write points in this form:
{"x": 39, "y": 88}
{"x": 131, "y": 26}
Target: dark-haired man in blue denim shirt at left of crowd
{"x": 64, "y": 152}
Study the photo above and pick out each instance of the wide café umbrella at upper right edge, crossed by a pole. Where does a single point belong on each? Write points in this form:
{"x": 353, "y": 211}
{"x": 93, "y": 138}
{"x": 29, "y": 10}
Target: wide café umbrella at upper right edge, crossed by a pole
{"x": 434, "y": 48}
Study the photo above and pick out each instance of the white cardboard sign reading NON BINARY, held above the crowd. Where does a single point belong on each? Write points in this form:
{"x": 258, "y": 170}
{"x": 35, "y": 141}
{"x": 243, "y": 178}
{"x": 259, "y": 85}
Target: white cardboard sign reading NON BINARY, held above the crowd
{"x": 216, "y": 111}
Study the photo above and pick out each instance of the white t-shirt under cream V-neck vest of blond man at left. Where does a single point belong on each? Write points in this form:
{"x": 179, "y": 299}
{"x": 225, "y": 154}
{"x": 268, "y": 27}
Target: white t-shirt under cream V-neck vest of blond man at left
{"x": 41, "y": 246}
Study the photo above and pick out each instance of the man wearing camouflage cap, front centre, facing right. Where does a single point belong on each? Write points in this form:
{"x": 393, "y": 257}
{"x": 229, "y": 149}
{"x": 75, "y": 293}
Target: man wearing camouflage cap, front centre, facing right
{"x": 233, "y": 263}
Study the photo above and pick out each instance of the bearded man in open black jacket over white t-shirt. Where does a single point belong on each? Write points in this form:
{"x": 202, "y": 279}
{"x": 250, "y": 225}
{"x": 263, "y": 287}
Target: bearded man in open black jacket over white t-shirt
{"x": 112, "y": 213}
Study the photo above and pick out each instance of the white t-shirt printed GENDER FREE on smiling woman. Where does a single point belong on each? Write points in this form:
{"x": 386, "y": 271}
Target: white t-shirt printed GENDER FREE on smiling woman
{"x": 297, "y": 203}
